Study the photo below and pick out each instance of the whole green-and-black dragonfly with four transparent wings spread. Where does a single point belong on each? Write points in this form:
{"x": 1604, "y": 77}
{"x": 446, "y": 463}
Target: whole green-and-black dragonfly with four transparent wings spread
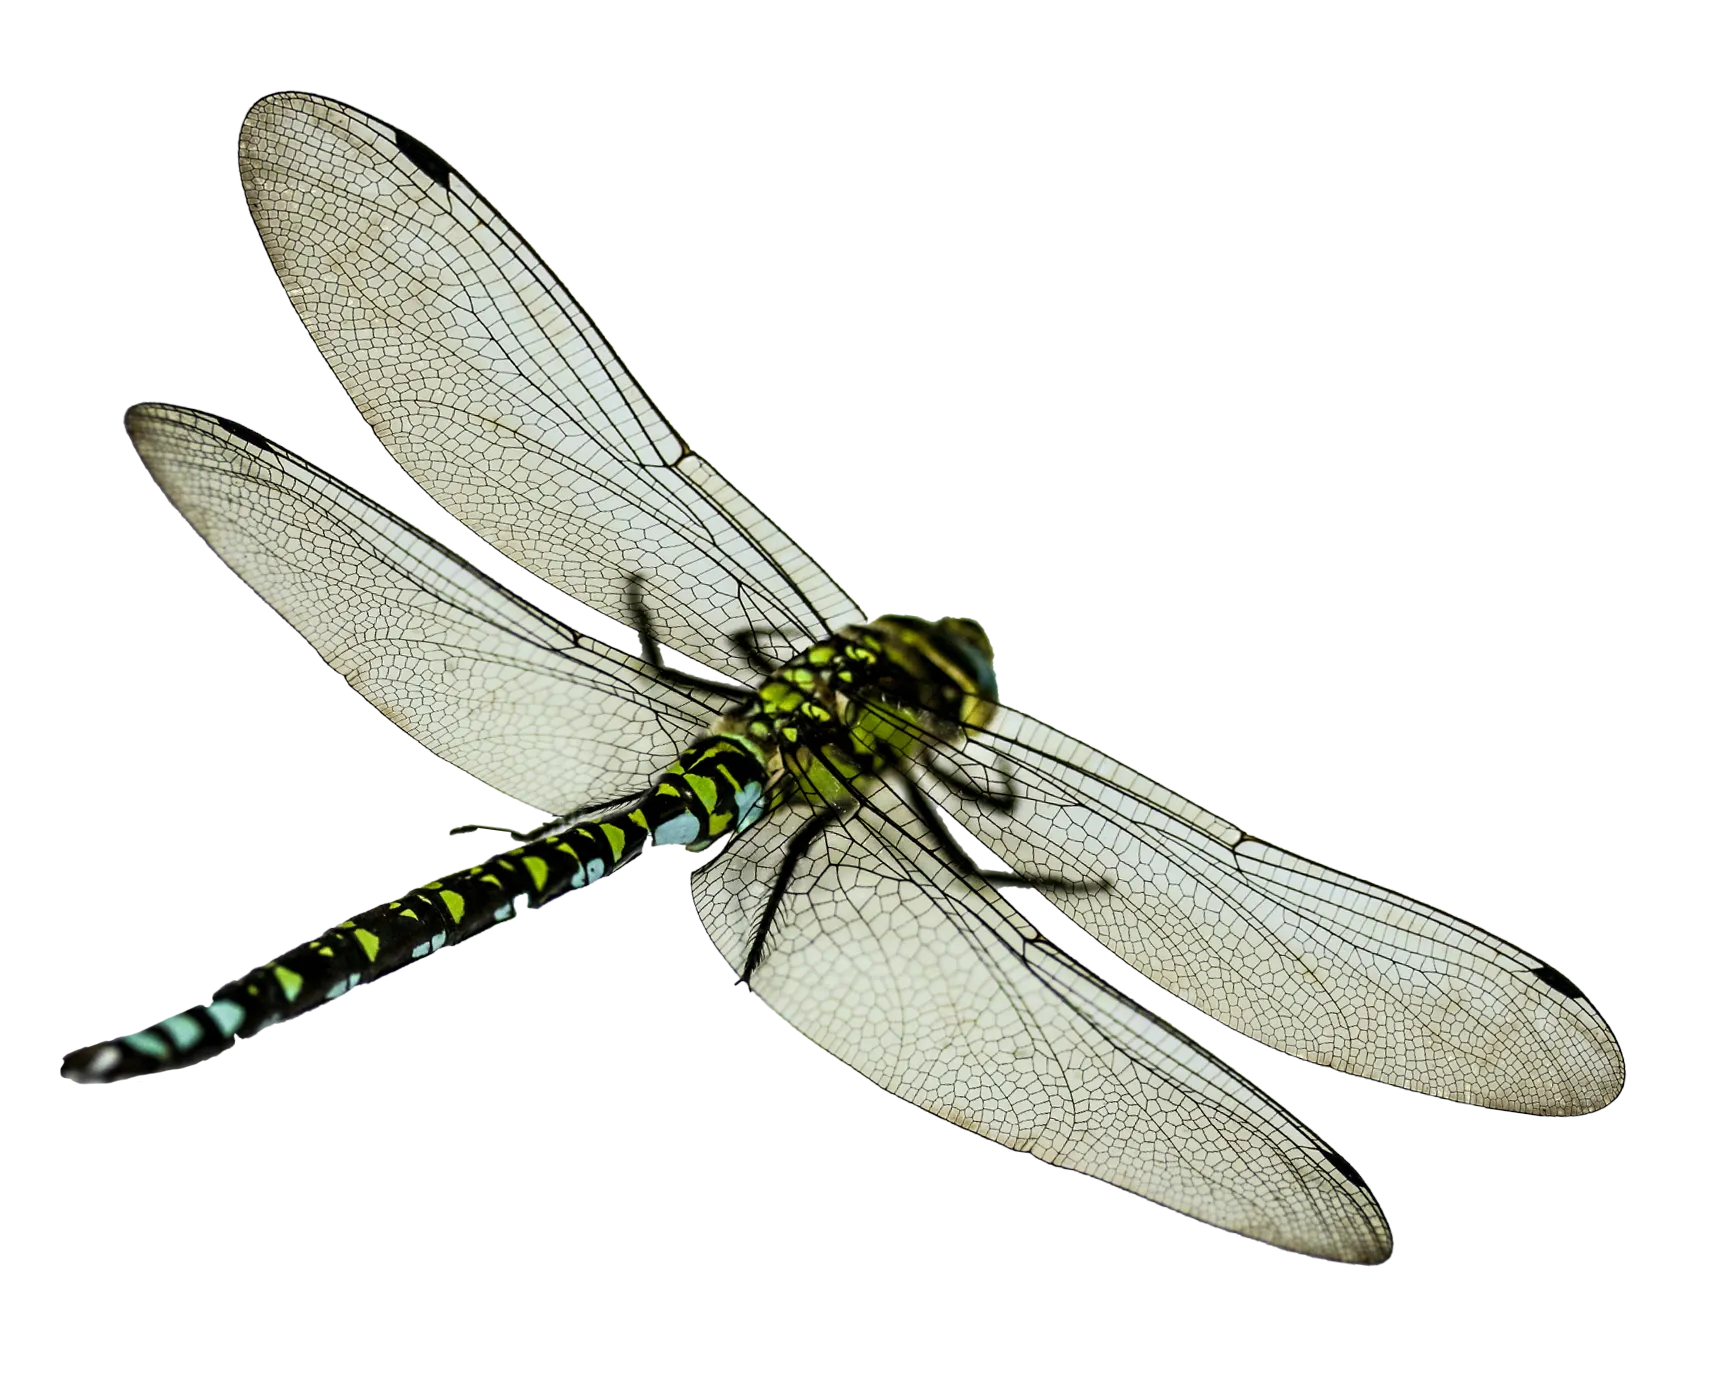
{"x": 887, "y": 843}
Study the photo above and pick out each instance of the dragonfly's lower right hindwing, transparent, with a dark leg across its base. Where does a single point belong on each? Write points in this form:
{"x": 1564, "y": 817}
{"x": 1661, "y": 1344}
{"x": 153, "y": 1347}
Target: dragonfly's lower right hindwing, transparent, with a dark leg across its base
{"x": 939, "y": 990}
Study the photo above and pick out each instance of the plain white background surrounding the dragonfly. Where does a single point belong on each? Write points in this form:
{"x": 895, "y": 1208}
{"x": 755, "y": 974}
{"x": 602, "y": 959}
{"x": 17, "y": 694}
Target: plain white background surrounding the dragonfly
{"x": 1322, "y": 403}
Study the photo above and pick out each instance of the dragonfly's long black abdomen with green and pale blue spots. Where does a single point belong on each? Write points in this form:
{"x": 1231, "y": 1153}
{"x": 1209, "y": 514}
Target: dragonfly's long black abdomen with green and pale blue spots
{"x": 716, "y": 788}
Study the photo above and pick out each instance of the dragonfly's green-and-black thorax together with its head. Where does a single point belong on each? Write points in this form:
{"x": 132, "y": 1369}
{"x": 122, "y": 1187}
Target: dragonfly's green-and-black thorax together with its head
{"x": 866, "y": 702}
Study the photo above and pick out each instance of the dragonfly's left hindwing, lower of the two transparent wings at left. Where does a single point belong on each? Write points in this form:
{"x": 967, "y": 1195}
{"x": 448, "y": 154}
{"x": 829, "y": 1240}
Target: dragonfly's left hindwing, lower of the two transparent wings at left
{"x": 486, "y": 681}
